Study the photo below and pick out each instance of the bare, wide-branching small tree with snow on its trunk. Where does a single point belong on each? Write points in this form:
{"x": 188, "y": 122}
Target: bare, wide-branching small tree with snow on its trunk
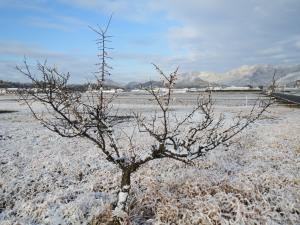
{"x": 92, "y": 116}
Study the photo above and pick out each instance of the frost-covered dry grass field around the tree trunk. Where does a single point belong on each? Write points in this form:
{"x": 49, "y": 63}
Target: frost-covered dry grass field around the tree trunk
{"x": 46, "y": 179}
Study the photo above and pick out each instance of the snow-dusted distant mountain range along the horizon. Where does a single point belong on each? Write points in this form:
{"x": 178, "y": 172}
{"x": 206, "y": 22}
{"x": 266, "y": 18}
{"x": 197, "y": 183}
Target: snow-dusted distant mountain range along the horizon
{"x": 254, "y": 75}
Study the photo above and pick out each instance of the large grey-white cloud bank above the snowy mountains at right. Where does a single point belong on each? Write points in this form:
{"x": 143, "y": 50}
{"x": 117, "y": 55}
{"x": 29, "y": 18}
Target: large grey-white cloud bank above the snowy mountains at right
{"x": 234, "y": 32}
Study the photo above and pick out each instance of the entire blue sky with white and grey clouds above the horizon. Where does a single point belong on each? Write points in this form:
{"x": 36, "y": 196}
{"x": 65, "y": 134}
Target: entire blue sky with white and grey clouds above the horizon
{"x": 196, "y": 35}
